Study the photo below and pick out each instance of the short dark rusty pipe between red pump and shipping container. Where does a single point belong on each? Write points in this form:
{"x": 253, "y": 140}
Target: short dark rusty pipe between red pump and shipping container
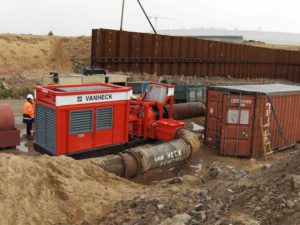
{"x": 183, "y": 111}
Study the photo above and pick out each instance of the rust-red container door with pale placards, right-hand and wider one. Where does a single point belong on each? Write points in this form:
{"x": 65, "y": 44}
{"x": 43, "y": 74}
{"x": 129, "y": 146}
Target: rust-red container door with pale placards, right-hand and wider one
{"x": 237, "y": 125}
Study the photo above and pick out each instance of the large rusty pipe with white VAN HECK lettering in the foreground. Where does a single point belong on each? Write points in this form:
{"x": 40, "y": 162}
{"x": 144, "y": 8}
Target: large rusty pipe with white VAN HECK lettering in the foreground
{"x": 141, "y": 159}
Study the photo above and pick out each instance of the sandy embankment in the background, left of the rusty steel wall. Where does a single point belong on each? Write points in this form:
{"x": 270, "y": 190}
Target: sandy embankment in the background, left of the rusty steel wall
{"x": 35, "y": 56}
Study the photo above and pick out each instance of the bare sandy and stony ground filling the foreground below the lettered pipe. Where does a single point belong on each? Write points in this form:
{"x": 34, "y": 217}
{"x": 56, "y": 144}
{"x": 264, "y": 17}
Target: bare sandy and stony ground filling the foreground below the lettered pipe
{"x": 208, "y": 189}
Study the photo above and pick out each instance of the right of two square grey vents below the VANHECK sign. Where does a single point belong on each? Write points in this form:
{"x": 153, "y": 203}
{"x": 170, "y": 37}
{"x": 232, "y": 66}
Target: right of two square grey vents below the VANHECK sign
{"x": 104, "y": 118}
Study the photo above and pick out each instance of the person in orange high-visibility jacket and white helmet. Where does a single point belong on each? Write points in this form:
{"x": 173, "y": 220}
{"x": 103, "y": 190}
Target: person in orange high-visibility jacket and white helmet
{"x": 28, "y": 114}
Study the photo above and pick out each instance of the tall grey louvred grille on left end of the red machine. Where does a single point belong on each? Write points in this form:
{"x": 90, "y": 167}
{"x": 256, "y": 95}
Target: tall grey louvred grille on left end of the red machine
{"x": 45, "y": 128}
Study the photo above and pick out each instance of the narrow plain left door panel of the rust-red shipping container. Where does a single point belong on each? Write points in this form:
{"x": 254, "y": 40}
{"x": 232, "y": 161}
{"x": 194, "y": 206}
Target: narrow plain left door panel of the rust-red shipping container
{"x": 214, "y": 118}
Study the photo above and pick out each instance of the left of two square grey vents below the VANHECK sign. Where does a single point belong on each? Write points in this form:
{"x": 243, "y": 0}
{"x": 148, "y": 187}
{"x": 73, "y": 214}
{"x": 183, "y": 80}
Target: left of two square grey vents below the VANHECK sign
{"x": 81, "y": 121}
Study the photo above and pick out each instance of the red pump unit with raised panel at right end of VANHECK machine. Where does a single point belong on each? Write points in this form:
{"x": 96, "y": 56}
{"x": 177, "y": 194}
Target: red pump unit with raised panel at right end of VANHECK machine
{"x": 149, "y": 117}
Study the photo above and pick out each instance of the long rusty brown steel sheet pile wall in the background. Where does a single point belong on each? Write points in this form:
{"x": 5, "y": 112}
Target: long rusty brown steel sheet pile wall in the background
{"x": 161, "y": 54}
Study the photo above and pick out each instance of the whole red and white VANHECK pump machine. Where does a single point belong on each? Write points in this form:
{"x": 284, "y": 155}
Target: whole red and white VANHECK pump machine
{"x": 73, "y": 119}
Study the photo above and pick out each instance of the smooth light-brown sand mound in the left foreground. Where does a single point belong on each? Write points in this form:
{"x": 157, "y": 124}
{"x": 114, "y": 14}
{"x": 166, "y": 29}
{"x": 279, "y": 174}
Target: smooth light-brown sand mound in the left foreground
{"x": 57, "y": 190}
